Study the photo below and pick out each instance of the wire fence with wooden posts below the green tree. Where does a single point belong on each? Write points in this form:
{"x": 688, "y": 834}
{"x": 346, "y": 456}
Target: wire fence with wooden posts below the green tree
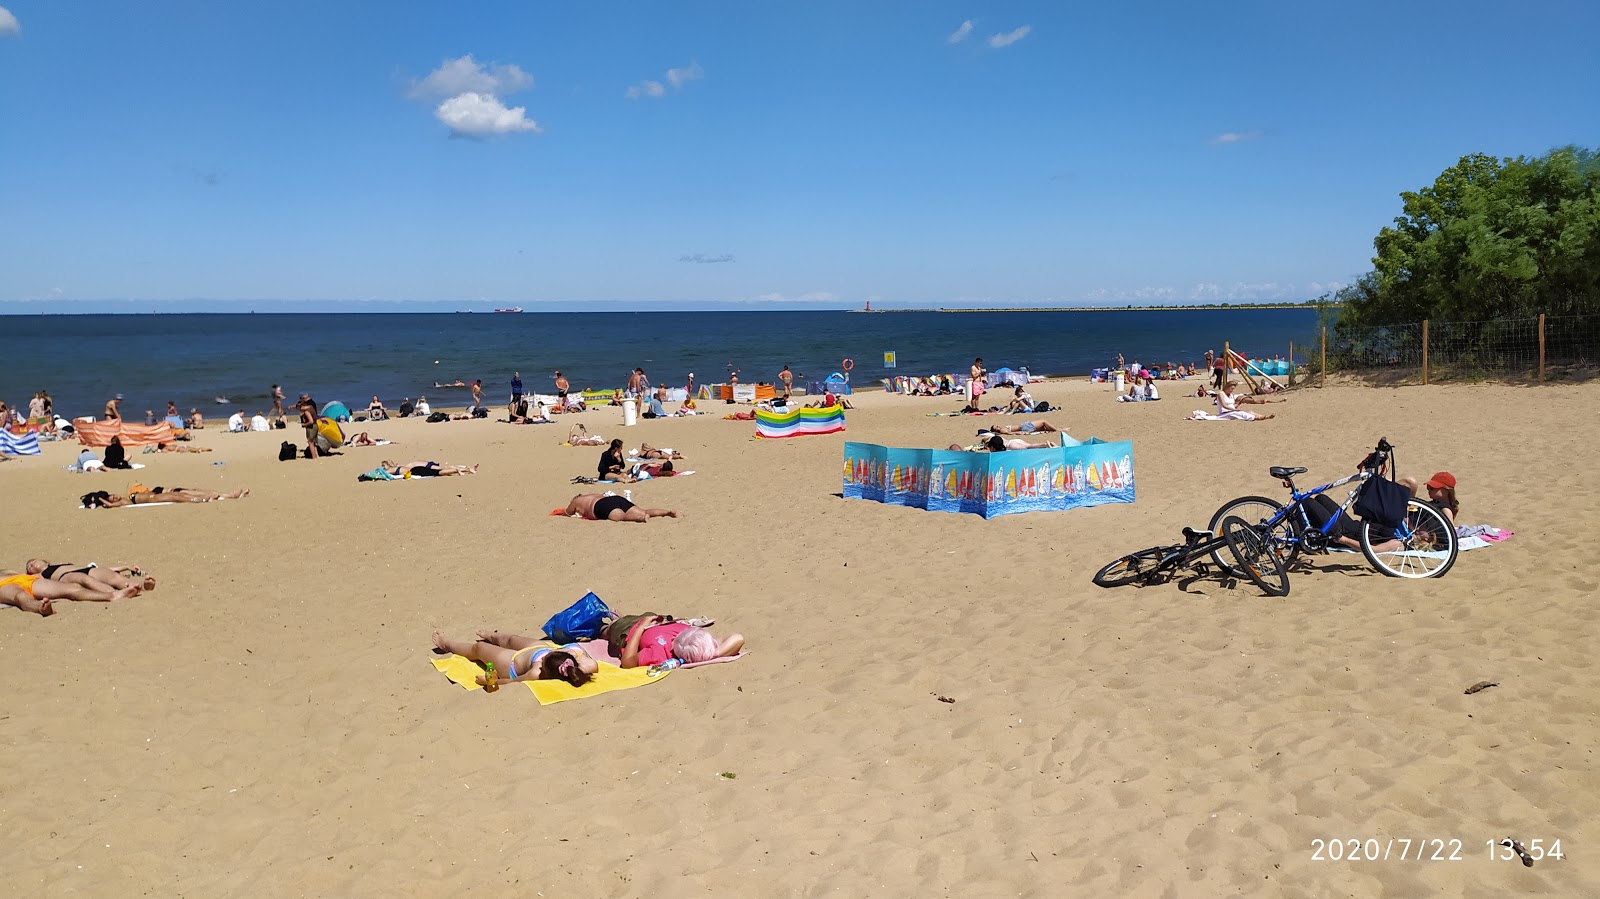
{"x": 1543, "y": 350}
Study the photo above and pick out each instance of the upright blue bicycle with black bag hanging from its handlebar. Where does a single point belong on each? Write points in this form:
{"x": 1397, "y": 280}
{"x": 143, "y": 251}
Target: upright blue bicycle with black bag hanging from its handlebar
{"x": 1418, "y": 543}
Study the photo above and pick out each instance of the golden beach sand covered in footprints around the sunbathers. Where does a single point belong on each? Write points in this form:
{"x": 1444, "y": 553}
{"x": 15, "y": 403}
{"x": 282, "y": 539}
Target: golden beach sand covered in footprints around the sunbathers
{"x": 268, "y": 721}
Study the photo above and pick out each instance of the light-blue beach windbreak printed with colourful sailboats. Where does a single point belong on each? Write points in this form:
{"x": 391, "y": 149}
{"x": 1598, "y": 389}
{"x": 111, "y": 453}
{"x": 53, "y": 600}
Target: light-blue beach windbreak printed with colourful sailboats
{"x": 1073, "y": 476}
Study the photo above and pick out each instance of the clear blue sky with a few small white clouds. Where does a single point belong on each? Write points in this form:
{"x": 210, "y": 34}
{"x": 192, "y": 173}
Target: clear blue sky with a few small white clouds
{"x": 567, "y": 156}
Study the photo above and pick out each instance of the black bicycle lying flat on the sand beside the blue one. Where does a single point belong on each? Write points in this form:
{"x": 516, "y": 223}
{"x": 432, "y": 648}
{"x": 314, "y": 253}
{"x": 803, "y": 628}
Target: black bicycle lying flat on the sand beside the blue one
{"x": 1254, "y": 554}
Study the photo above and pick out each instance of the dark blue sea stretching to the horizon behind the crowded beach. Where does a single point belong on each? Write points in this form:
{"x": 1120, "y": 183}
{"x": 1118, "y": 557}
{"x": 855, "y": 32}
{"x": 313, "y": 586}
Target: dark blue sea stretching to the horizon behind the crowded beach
{"x": 193, "y": 359}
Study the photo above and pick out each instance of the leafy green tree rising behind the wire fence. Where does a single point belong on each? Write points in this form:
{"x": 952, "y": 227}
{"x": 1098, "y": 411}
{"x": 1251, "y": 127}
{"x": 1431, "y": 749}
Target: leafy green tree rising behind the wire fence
{"x": 1490, "y": 239}
